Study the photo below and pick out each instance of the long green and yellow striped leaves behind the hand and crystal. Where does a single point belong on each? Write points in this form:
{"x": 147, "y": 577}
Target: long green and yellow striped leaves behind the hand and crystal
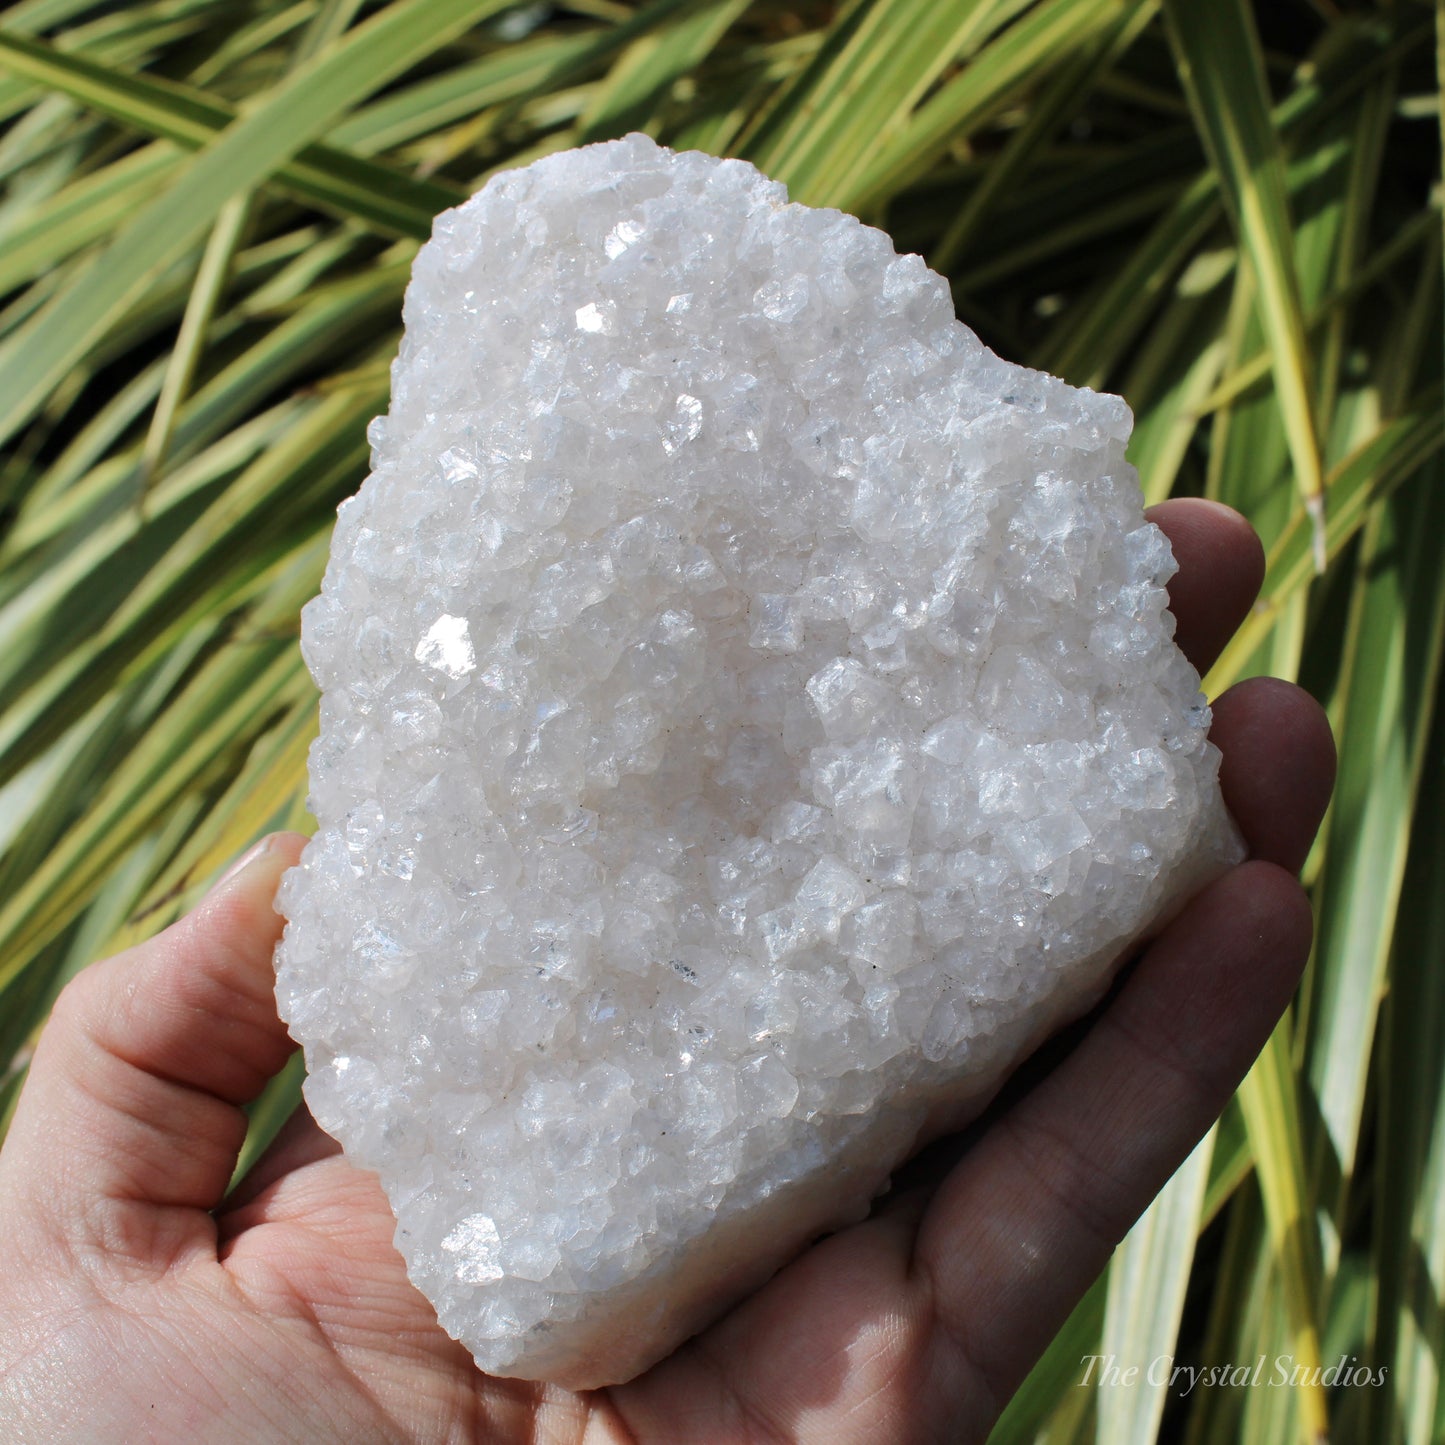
{"x": 1230, "y": 213}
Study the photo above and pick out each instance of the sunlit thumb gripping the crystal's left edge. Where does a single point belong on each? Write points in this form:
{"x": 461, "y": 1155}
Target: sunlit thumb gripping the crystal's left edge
{"x": 145, "y": 1064}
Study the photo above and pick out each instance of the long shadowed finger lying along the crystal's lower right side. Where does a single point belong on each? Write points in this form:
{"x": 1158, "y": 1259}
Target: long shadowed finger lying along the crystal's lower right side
{"x": 1032, "y": 1215}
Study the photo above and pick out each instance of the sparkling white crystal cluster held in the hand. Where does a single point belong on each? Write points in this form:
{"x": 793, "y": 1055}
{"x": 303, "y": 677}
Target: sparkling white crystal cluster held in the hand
{"x": 751, "y": 720}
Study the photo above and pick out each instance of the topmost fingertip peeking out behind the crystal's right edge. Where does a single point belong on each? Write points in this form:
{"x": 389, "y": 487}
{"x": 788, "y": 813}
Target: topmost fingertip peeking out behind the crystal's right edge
{"x": 1222, "y": 567}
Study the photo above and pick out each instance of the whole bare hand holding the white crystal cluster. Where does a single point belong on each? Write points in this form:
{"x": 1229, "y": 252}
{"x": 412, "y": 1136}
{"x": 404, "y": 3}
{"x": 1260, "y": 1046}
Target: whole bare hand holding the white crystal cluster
{"x": 137, "y": 1306}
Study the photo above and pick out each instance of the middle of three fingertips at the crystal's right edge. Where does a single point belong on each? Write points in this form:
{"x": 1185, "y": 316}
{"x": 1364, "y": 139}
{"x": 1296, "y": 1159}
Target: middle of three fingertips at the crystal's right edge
{"x": 1280, "y": 767}
